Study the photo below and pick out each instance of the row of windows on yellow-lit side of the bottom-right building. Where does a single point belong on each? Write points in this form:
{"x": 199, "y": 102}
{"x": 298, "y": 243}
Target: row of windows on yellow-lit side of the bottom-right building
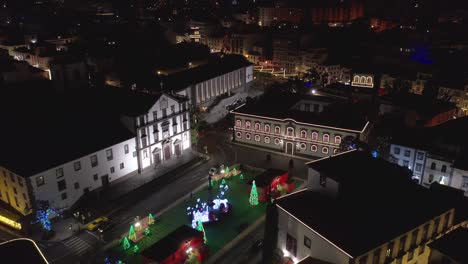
{"x": 439, "y": 224}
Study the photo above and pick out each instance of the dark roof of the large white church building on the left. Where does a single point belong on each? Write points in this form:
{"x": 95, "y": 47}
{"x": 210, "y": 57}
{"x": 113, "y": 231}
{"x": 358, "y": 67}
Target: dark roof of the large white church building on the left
{"x": 58, "y": 128}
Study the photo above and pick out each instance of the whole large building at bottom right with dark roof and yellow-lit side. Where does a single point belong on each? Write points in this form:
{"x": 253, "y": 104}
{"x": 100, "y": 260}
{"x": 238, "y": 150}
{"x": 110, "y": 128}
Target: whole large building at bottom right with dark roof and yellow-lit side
{"x": 339, "y": 219}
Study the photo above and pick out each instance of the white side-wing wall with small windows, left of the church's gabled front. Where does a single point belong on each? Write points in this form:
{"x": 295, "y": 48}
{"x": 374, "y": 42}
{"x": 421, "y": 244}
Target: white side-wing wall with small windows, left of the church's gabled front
{"x": 85, "y": 176}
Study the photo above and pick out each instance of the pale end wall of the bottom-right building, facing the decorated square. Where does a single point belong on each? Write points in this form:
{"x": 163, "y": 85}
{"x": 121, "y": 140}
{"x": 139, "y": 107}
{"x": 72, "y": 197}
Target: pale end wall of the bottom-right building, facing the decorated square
{"x": 320, "y": 248}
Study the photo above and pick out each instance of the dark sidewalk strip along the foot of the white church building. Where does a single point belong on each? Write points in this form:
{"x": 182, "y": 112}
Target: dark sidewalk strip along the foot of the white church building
{"x": 123, "y": 192}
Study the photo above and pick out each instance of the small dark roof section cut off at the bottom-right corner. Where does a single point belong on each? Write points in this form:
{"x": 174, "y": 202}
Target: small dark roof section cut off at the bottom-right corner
{"x": 453, "y": 245}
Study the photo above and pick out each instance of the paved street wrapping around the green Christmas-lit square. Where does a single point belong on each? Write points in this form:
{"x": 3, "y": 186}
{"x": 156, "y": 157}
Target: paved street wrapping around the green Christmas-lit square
{"x": 82, "y": 247}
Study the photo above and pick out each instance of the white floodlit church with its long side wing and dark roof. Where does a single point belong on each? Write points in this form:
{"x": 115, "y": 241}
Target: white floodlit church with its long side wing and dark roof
{"x": 76, "y": 152}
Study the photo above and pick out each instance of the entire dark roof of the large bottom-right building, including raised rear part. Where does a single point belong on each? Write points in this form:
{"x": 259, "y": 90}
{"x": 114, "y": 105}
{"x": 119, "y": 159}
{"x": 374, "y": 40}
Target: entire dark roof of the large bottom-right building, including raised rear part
{"x": 353, "y": 213}
